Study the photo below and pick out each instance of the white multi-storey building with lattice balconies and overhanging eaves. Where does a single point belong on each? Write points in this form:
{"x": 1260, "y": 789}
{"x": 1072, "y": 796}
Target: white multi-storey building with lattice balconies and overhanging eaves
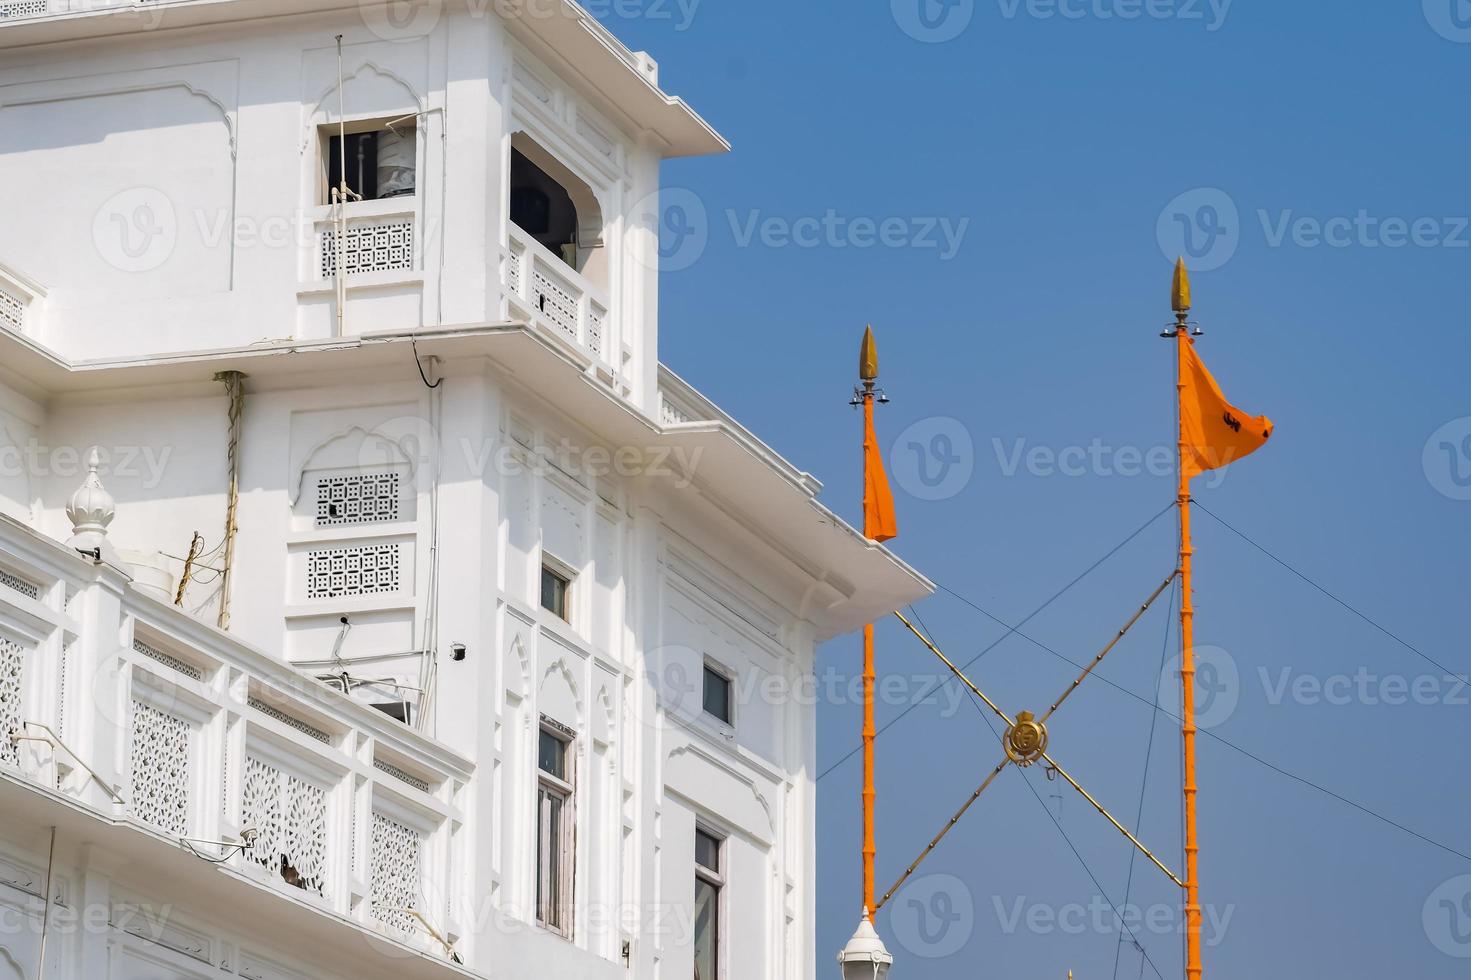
{"x": 517, "y": 625}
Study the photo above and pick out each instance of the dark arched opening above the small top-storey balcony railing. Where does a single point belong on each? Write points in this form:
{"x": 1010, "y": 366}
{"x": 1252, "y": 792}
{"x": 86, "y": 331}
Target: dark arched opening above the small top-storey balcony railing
{"x": 557, "y": 208}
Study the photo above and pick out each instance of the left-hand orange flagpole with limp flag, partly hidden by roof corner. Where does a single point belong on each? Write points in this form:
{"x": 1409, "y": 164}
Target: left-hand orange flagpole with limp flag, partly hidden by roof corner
{"x": 879, "y": 526}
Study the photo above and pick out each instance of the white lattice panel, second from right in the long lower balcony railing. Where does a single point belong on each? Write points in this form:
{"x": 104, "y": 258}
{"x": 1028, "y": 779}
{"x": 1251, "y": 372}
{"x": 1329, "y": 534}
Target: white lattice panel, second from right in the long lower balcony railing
{"x": 291, "y": 820}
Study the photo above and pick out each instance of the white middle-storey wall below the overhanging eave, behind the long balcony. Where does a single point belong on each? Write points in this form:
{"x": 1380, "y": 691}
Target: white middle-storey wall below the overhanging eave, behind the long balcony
{"x": 651, "y": 604}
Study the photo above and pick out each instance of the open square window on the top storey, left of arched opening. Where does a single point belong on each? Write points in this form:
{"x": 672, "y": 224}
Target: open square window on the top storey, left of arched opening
{"x": 379, "y": 158}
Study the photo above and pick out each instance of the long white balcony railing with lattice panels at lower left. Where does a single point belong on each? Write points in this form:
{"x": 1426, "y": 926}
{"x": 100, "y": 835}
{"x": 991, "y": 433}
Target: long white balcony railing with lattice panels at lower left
{"x": 152, "y": 720}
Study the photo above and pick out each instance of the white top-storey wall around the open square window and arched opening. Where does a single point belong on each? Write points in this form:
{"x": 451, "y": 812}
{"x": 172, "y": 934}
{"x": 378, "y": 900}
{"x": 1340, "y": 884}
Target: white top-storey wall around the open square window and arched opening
{"x": 173, "y": 191}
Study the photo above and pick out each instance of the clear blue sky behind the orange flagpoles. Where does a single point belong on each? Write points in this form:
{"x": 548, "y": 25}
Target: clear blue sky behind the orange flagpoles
{"x": 1310, "y": 158}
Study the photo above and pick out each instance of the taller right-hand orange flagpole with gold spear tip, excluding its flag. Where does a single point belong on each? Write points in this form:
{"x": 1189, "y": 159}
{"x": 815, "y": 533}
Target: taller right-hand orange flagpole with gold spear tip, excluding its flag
{"x": 1180, "y": 301}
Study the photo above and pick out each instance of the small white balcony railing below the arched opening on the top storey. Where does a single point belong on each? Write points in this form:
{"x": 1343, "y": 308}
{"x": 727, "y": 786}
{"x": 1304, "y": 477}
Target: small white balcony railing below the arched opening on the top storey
{"x": 555, "y": 297}
